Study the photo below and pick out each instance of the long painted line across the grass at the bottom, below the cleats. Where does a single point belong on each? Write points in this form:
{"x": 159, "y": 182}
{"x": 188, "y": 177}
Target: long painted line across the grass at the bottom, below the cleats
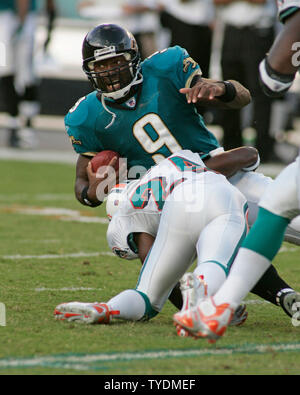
{"x": 90, "y": 361}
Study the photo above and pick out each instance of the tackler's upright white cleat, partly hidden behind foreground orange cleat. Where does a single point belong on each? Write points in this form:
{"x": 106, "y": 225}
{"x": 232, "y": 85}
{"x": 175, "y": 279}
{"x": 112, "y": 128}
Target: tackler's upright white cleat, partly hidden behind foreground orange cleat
{"x": 193, "y": 289}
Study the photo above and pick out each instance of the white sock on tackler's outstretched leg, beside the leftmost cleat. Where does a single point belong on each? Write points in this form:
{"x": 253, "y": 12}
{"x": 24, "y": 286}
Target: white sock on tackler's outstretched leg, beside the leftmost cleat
{"x": 129, "y": 303}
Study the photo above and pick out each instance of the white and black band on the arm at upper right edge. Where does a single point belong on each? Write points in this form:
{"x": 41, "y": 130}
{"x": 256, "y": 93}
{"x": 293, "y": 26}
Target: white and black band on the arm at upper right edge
{"x": 273, "y": 83}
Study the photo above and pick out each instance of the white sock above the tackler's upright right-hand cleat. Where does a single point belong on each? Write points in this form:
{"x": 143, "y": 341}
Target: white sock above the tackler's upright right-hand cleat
{"x": 213, "y": 275}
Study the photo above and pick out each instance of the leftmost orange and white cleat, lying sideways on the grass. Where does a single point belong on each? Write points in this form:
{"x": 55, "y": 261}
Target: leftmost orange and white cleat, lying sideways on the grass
{"x": 88, "y": 313}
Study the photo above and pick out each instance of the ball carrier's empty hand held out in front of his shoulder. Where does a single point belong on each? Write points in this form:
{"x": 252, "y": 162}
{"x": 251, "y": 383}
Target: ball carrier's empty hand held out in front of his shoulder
{"x": 203, "y": 90}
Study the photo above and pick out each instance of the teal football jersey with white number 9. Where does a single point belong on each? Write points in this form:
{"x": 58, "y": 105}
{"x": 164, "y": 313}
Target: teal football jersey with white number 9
{"x": 150, "y": 126}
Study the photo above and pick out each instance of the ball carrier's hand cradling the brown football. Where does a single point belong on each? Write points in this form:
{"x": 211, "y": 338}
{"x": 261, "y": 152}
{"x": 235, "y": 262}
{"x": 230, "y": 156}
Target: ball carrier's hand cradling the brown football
{"x": 101, "y": 181}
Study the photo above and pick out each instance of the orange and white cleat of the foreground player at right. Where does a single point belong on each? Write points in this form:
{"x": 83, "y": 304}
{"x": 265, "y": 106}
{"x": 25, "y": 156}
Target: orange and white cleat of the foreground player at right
{"x": 206, "y": 320}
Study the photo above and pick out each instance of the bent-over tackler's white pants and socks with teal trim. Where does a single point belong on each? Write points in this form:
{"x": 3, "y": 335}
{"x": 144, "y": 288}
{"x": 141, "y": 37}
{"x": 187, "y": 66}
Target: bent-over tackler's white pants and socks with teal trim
{"x": 211, "y": 225}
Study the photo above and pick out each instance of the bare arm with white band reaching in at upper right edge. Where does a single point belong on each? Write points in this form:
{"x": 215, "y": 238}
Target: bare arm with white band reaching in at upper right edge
{"x": 278, "y": 69}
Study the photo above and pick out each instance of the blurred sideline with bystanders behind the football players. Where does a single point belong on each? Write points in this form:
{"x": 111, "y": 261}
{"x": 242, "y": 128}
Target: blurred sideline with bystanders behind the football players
{"x": 227, "y": 38}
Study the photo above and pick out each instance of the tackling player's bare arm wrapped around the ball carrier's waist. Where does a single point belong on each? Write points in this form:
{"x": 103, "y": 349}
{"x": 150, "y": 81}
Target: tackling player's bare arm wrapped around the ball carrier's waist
{"x": 229, "y": 162}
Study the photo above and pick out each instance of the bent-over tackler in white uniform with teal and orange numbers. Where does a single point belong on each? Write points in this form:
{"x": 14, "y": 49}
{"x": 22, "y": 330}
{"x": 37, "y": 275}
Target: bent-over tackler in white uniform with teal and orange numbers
{"x": 188, "y": 207}
